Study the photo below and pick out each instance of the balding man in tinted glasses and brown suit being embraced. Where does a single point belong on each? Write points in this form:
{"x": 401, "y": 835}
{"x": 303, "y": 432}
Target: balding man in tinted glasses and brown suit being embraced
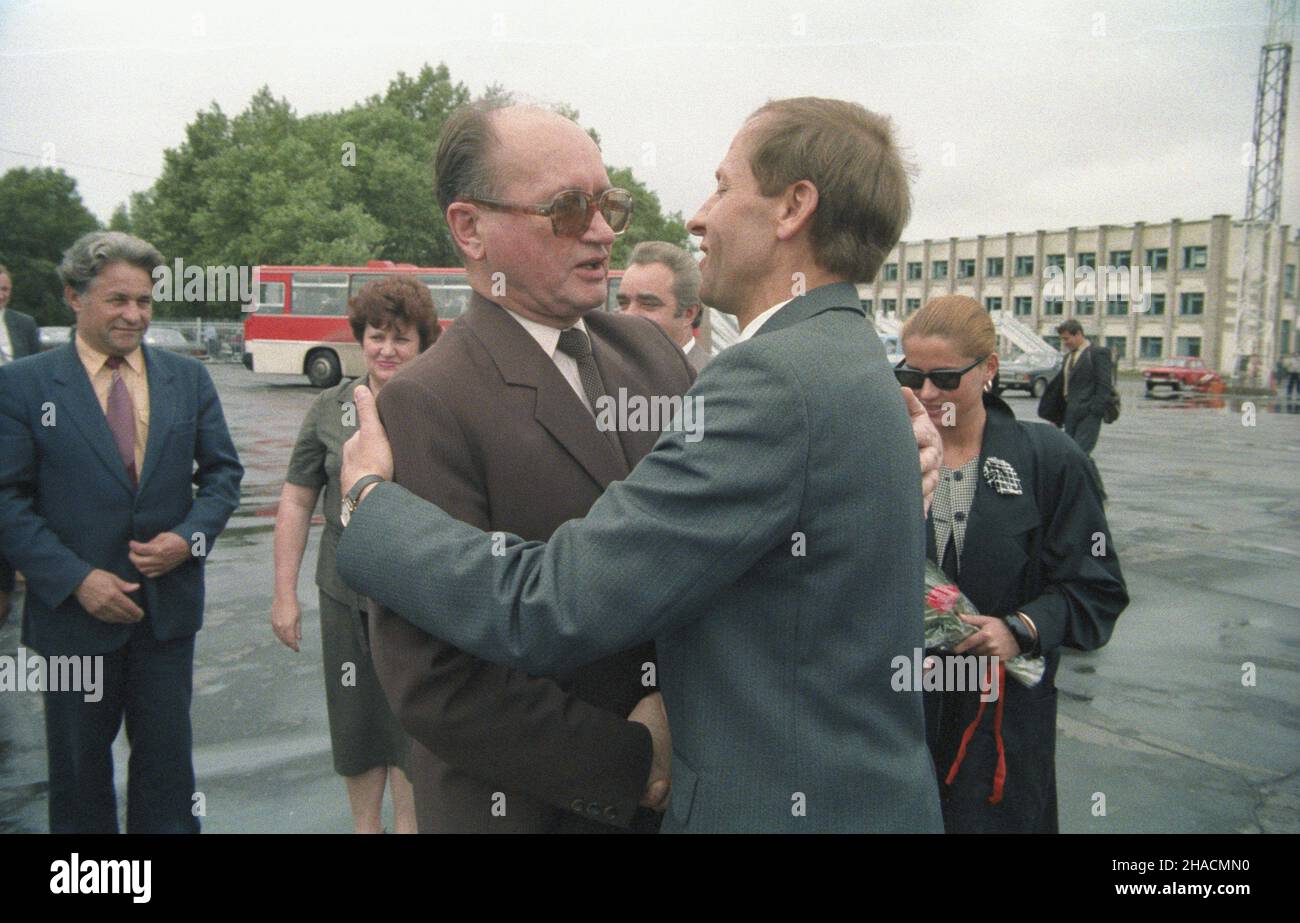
{"x": 495, "y": 424}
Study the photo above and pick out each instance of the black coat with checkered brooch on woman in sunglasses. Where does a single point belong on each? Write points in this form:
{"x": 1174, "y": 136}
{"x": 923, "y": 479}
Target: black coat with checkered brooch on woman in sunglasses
{"x": 1030, "y": 553}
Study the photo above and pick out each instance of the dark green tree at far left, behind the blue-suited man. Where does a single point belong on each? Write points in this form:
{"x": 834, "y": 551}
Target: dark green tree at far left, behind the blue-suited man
{"x": 44, "y": 214}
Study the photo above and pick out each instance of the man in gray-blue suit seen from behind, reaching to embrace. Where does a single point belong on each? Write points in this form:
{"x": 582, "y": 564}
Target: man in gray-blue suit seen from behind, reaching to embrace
{"x": 777, "y": 562}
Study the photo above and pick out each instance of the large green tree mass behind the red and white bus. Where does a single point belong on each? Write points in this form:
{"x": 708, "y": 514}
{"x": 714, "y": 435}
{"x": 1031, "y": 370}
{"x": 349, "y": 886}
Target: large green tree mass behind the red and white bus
{"x": 270, "y": 187}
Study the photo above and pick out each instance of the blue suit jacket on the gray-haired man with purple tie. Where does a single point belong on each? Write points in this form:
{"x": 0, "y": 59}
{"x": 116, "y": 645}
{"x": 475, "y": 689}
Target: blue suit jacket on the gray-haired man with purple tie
{"x": 67, "y": 505}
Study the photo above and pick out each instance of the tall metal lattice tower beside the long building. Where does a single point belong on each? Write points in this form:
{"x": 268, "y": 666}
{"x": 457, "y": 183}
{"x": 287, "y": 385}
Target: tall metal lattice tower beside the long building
{"x": 1262, "y": 239}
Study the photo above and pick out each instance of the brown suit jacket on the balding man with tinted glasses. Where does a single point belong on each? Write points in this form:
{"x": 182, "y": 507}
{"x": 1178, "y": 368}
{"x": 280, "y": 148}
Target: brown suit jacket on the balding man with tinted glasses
{"x": 484, "y": 426}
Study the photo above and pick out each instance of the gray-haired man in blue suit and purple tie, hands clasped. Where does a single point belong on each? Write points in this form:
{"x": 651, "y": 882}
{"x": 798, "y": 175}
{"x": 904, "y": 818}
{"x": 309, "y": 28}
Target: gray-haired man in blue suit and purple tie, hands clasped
{"x": 102, "y": 447}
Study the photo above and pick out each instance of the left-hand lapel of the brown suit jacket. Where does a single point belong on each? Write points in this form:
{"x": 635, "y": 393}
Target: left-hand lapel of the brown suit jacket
{"x": 523, "y": 363}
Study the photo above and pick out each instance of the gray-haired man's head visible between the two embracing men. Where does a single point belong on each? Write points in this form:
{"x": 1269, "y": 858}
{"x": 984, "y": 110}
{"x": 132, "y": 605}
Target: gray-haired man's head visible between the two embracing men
{"x": 662, "y": 285}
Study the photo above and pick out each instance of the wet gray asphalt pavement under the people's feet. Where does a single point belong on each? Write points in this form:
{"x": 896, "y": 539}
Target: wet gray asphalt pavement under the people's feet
{"x": 1207, "y": 521}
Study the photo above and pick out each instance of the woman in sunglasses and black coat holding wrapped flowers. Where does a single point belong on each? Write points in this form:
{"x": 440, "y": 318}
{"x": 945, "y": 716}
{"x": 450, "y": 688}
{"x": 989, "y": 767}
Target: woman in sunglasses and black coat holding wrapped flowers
{"x": 1017, "y": 523}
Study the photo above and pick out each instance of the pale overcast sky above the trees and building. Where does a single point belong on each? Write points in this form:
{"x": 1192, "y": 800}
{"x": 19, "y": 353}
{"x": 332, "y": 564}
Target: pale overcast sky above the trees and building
{"x": 1017, "y": 116}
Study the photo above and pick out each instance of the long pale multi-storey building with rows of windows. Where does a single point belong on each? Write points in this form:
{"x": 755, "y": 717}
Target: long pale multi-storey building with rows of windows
{"x": 1188, "y": 275}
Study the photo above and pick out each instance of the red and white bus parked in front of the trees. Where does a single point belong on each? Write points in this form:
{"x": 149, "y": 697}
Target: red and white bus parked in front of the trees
{"x": 298, "y": 320}
